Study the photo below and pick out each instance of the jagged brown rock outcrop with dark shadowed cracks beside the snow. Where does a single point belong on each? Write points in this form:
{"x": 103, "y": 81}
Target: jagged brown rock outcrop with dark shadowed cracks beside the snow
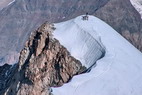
{"x": 43, "y": 63}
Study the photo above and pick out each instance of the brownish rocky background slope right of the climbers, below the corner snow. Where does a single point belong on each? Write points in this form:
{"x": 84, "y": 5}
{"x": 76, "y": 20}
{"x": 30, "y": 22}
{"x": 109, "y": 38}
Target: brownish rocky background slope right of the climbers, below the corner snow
{"x": 123, "y": 17}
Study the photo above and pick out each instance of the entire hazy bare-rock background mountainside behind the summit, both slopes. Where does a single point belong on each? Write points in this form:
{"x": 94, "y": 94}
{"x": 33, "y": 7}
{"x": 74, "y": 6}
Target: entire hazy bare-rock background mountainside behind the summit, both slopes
{"x": 23, "y": 16}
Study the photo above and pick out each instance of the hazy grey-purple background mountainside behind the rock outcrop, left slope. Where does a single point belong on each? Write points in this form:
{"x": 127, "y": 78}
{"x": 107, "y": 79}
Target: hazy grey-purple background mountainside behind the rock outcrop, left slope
{"x": 23, "y": 16}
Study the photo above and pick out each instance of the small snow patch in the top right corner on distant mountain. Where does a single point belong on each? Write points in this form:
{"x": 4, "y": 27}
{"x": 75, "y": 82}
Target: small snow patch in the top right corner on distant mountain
{"x": 138, "y": 5}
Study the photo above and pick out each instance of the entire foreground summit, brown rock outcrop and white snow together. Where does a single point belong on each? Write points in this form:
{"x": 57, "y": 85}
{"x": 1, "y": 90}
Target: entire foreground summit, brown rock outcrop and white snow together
{"x": 88, "y": 54}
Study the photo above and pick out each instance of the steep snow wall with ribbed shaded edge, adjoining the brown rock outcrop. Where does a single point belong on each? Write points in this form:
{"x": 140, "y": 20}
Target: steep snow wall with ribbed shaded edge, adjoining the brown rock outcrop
{"x": 80, "y": 43}
